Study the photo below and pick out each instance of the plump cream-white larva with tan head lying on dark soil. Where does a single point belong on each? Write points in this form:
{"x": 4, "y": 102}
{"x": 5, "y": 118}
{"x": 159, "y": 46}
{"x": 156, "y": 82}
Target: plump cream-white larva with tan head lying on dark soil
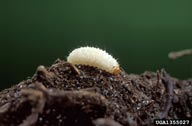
{"x": 95, "y": 57}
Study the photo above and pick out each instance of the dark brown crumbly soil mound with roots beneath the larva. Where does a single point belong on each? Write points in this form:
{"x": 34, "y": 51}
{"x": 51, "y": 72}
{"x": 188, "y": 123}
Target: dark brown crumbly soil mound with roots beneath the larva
{"x": 68, "y": 95}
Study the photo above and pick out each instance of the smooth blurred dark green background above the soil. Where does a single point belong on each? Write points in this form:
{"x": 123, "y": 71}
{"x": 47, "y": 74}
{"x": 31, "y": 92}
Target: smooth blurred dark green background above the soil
{"x": 138, "y": 33}
